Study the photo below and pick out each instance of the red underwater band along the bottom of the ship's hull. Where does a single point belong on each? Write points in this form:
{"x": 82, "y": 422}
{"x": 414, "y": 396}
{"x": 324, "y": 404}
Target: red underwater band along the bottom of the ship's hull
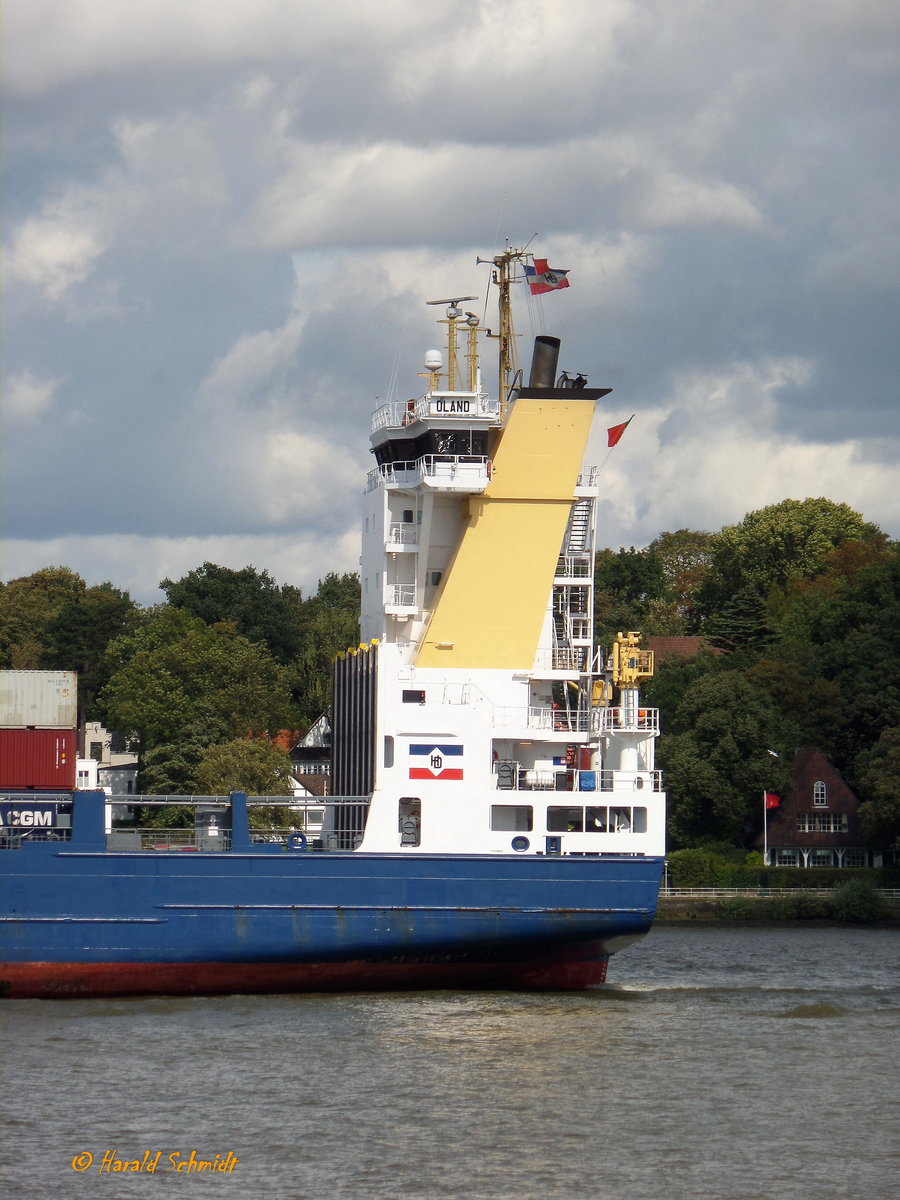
{"x": 71, "y": 981}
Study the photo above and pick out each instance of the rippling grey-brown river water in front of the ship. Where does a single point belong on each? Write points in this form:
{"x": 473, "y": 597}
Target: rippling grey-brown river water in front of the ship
{"x": 719, "y": 1063}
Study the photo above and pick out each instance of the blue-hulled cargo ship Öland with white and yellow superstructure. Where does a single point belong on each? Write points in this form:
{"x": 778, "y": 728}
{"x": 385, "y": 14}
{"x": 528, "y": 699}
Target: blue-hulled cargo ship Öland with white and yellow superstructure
{"x": 495, "y": 817}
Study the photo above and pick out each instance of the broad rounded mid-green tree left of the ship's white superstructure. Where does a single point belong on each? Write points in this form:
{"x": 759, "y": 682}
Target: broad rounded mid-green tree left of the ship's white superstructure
{"x": 177, "y": 680}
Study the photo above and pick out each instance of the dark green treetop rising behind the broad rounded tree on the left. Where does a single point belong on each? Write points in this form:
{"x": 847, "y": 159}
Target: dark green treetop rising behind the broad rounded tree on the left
{"x": 261, "y": 610}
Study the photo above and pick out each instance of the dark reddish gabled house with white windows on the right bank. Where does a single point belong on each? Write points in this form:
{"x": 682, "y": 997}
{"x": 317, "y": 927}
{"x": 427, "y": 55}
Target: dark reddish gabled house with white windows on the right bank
{"x": 818, "y": 823}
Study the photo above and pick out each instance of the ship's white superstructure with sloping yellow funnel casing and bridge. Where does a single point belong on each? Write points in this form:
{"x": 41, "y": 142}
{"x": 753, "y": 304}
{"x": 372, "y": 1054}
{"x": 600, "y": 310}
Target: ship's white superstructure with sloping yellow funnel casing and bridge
{"x": 477, "y": 713}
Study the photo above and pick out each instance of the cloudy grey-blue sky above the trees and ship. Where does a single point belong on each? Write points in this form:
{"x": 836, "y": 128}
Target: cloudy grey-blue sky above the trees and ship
{"x": 224, "y": 218}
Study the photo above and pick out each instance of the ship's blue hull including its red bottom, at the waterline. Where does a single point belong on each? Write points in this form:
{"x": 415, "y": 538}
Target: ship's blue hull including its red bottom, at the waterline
{"x": 80, "y": 921}
